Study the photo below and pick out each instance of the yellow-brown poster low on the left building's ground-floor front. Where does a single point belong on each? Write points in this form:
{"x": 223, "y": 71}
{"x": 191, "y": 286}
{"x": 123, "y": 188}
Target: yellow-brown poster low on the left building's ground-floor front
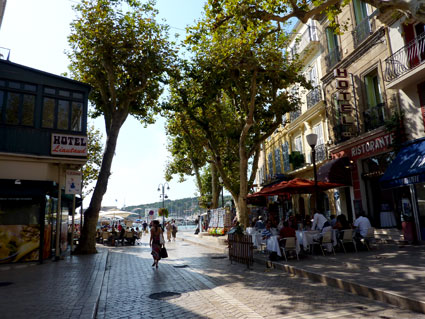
{"x": 19, "y": 243}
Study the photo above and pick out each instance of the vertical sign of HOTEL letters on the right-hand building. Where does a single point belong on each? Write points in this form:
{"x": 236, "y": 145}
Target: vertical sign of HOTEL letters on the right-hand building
{"x": 344, "y": 97}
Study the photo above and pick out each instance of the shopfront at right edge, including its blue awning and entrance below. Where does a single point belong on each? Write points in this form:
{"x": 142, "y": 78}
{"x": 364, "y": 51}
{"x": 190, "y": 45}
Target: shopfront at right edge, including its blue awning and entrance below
{"x": 405, "y": 177}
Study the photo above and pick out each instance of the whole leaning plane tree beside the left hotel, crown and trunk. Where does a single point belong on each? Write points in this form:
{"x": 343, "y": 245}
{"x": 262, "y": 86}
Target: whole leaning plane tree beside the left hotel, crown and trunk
{"x": 119, "y": 48}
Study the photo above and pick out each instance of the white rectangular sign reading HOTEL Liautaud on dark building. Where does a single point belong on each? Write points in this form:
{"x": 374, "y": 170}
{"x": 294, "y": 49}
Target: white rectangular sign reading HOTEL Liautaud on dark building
{"x": 69, "y": 145}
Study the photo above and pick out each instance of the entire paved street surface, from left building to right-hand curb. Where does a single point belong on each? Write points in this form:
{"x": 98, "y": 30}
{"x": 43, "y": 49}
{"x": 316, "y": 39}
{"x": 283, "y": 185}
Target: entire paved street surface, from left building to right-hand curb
{"x": 206, "y": 286}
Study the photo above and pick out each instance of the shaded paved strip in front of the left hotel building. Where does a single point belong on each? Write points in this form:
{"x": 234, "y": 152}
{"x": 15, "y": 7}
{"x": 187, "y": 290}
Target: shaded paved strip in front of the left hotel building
{"x": 38, "y": 292}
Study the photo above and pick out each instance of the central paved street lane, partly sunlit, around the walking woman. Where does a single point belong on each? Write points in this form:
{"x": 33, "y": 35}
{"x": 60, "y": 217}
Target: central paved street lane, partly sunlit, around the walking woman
{"x": 210, "y": 287}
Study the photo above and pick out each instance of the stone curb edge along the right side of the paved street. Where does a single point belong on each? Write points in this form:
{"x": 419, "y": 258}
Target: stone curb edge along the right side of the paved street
{"x": 346, "y": 285}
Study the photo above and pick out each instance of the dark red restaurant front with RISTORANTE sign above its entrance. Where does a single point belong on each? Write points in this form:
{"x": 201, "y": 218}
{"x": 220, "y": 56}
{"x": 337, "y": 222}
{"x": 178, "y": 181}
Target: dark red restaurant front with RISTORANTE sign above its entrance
{"x": 367, "y": 158}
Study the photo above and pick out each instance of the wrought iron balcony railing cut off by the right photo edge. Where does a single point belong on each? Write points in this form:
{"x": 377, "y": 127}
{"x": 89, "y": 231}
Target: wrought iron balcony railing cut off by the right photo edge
{"x": 405, "y": 59}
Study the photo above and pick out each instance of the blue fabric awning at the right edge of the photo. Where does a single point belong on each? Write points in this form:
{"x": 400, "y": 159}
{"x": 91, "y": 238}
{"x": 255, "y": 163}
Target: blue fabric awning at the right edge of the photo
{"x": 408, "y": 167}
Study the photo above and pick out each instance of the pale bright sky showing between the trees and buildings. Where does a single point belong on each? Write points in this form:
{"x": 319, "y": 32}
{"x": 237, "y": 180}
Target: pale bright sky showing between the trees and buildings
{"x": 36, "y": 33}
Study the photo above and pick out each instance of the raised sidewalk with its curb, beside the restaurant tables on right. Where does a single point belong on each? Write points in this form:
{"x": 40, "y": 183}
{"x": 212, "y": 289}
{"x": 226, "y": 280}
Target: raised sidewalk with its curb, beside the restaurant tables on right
{"x": 389, "y": 273}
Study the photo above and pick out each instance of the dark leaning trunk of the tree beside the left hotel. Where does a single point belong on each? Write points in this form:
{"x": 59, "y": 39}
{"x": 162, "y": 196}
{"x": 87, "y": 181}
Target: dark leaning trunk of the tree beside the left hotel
{"x": 87, "y": 244}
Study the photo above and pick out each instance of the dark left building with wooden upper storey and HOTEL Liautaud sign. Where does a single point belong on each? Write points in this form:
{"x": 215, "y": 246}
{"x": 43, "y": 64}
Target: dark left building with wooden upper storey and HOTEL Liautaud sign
{"x": 43, "y": 145}
